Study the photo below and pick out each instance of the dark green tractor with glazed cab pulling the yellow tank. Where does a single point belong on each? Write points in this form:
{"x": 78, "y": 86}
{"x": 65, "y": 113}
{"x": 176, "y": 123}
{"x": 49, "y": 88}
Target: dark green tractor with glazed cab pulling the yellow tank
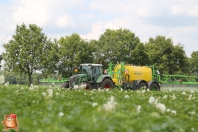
{"x": 91, "y": 76}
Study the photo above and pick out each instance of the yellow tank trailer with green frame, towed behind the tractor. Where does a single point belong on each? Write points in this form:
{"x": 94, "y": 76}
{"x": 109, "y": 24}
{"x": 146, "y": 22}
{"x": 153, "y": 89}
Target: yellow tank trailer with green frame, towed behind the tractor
{"x": 133, "y": 77}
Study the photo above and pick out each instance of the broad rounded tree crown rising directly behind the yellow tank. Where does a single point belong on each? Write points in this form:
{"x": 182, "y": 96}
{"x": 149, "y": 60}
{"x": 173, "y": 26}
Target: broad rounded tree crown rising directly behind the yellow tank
{"x": 117, "y": 46}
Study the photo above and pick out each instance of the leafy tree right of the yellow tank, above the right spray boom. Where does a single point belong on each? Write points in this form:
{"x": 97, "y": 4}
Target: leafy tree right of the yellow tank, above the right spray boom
{"x": 167, "y": 57}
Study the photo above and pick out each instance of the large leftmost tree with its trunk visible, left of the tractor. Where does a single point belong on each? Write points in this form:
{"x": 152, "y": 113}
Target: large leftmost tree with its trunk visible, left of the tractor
{"x": 26, "y": 51}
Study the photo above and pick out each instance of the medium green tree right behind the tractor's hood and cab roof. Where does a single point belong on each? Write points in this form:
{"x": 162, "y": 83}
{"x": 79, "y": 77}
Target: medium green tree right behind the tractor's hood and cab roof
{"x": 72, "y": 52}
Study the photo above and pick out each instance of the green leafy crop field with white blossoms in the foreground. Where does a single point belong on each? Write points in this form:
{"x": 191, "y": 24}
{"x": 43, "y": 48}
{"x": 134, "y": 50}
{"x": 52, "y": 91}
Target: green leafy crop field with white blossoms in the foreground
{"x": 50, "y": 108}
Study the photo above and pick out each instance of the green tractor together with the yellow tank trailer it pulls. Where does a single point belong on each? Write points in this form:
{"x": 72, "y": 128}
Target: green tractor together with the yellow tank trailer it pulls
{"x": 92, "y": 76}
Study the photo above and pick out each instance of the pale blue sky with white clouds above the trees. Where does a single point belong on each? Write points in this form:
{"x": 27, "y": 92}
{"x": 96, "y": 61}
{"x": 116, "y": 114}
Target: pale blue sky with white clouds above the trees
{"x": 177, "y": 19}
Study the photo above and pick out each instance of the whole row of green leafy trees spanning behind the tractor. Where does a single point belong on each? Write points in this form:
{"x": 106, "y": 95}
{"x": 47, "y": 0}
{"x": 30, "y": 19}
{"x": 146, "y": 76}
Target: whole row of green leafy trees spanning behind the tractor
{"x": 30, "y": 51}
